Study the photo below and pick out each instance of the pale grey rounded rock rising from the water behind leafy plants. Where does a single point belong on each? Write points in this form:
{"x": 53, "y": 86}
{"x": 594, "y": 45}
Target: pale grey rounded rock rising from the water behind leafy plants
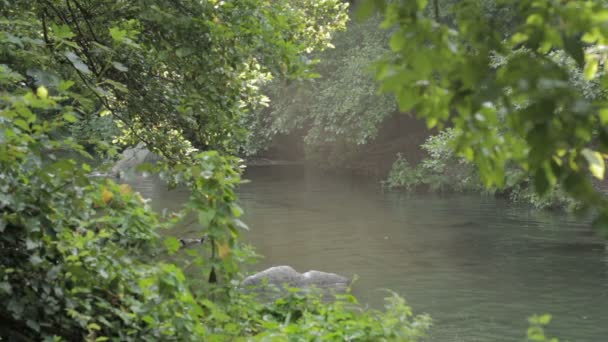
{"x": 281, "y": 277}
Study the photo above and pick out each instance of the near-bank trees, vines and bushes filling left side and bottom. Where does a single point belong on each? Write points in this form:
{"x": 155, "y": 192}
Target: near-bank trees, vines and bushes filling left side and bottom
{"x": 82, "y": 257}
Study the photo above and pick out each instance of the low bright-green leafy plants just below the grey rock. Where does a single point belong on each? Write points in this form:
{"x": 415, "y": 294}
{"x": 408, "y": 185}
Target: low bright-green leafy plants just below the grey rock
{"x": 305, "y": 318}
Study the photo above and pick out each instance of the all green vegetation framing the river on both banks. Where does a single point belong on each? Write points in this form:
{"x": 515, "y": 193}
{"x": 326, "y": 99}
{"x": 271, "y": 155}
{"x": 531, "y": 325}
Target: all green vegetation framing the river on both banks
{"x": 522, "y": 88}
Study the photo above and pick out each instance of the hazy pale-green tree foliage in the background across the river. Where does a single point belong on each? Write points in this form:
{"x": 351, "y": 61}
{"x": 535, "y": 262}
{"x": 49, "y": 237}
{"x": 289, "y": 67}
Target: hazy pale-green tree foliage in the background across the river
{"x": 338, "y": 110}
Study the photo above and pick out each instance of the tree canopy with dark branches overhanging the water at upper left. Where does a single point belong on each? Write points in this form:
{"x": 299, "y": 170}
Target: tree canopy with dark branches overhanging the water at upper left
{"x": 191, "y": 67}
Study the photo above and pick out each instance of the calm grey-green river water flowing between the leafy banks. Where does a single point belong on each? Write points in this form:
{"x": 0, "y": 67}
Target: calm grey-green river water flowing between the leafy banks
{"x": 478, "y": 265}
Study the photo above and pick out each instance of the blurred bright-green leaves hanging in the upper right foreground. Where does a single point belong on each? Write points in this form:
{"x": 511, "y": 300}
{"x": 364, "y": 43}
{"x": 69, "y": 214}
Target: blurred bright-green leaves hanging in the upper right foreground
{"x": 525, "y": 112}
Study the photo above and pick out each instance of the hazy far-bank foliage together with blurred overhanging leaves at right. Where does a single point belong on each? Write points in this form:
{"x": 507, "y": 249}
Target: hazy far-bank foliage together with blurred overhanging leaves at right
{"x": 474, "y": 55}
